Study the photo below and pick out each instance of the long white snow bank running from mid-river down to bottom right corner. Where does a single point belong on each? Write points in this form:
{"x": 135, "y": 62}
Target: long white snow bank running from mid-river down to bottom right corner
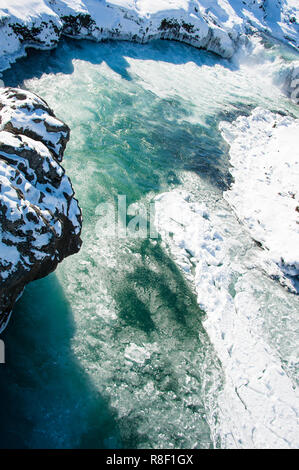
{"x": 259, "y": 407}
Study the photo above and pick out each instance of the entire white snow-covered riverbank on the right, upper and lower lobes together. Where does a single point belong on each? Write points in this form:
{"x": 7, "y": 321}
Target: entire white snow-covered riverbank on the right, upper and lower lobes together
{"x": 259, "y": 406}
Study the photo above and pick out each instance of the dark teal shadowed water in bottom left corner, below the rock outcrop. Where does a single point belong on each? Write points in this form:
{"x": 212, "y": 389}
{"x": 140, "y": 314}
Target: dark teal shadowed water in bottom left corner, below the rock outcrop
{"x": 46, "y": 398}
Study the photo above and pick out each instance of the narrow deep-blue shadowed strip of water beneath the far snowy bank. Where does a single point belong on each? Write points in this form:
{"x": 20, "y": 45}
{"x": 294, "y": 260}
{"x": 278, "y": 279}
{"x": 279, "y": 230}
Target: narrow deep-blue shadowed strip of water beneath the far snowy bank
{"x": 113, "y": 53}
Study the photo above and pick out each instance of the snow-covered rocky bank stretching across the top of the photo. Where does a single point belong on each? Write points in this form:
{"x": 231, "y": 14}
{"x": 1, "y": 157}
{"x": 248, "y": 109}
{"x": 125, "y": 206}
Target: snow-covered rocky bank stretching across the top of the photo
{"x": 214, "y": 25}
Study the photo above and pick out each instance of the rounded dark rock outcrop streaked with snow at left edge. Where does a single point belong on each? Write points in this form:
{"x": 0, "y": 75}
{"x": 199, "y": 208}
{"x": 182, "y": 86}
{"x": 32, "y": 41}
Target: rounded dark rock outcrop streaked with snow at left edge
{"x": 40, "y": 220}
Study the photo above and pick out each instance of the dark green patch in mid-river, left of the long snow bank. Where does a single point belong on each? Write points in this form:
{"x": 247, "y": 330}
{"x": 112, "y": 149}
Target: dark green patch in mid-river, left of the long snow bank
{"x": 160, "y": 277}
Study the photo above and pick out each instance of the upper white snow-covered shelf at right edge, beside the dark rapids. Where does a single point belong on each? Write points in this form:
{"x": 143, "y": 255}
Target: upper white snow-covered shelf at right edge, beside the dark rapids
{"x": 264, "y": 156}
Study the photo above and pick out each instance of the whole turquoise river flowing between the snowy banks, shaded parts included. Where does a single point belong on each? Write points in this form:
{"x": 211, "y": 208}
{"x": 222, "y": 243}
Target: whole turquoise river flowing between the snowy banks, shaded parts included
{"x": 143, "y": 120}
